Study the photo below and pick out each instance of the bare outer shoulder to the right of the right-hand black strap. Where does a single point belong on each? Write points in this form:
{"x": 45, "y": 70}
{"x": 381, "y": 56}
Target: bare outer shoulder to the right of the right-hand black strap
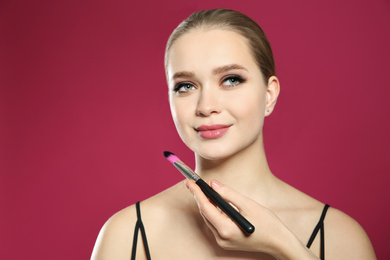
{"x": 345, "y": 238}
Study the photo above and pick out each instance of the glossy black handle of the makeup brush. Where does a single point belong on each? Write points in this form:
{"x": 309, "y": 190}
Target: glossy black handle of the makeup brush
{"x": 242, "y": 222}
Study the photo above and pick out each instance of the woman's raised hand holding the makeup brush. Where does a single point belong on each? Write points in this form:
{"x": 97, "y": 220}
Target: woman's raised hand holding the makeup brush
{"x": 270, "y": 234}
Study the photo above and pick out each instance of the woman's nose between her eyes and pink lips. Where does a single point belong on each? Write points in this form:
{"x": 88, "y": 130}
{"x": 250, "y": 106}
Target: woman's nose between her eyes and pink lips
{"x": 208, "y": 103}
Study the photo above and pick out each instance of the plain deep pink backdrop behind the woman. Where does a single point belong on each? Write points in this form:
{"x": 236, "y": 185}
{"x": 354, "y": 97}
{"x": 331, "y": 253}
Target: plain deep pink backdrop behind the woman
{"x": 84, "y": 116}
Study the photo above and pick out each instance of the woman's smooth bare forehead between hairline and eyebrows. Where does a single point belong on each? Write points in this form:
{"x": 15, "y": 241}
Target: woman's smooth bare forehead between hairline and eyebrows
{"x": 204, "y": 49}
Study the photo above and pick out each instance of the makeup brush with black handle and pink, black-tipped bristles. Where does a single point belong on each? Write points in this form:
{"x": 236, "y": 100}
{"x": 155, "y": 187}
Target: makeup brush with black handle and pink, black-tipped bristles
{"x": 234, "y": 215}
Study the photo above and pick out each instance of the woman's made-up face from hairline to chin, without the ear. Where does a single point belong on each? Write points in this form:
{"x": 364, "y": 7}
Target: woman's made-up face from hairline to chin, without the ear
{"x": 217, "y": 93}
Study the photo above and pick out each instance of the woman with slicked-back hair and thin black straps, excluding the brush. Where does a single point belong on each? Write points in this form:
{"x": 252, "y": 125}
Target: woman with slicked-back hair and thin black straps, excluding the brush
{"x": 222, "y": 84}
